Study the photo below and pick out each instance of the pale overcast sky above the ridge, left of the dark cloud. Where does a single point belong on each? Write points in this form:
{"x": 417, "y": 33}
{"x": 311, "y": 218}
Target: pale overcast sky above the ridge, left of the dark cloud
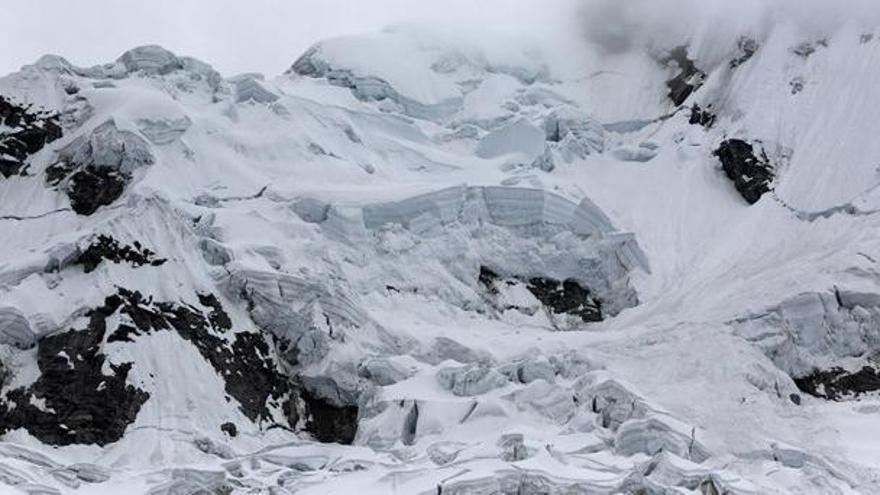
{"x": 234, "y": 35}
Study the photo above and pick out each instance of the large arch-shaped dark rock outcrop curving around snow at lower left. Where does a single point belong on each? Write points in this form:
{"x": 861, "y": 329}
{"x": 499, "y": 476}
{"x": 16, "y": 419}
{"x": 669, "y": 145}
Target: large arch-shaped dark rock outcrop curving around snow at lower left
{"x": 74, "y": 401}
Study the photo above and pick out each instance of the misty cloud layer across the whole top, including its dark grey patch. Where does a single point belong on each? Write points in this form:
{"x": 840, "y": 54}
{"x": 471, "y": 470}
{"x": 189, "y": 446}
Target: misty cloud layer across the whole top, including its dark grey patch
{"x": 267, "y": 35}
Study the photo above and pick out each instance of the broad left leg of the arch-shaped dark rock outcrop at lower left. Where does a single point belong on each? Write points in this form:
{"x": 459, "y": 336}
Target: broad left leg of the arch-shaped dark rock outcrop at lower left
{"x": 82, "y": 405}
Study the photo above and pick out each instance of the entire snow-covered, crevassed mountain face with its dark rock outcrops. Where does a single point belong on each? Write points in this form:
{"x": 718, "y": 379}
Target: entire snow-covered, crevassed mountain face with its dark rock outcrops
{"x": 422, "y": 263}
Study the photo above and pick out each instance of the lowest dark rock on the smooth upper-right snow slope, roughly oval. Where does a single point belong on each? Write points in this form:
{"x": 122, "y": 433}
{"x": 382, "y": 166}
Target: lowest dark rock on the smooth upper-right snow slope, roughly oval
{"x": 751, "y": 174}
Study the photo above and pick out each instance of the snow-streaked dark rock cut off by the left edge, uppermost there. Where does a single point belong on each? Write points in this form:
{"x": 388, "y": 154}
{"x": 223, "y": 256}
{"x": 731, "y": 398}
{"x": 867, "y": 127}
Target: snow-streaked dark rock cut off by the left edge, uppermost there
{"x": 30, "y": 131}
